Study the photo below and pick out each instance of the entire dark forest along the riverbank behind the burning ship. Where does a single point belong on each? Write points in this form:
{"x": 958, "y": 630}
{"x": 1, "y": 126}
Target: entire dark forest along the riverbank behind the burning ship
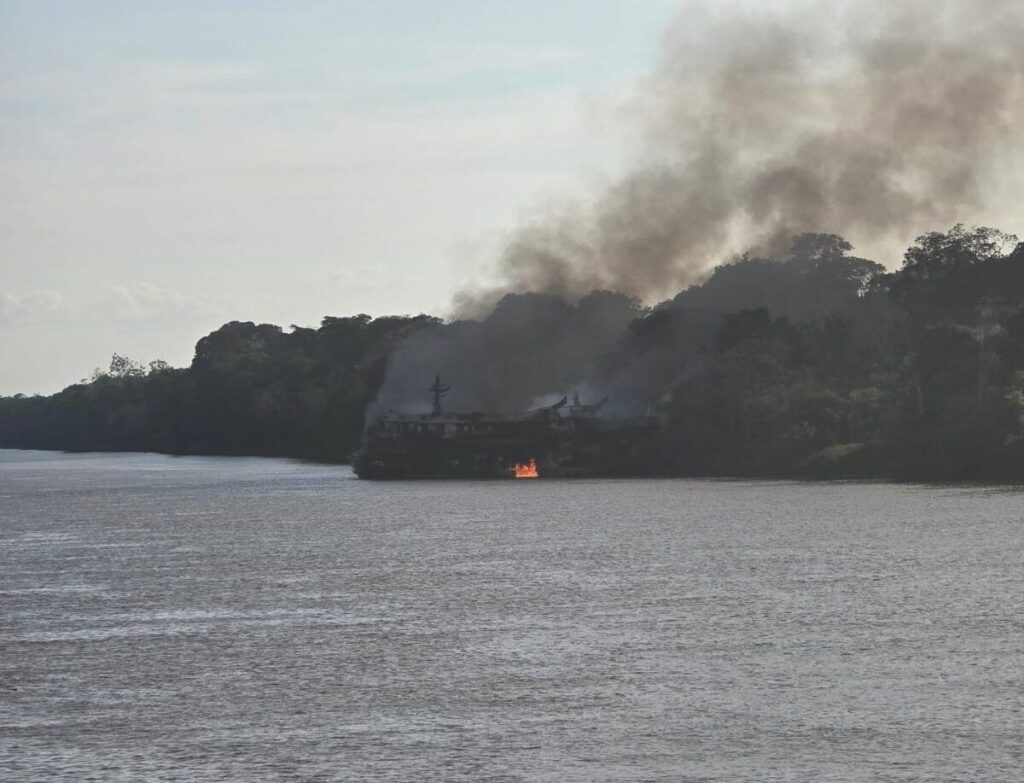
{"x": 817, "y": 364}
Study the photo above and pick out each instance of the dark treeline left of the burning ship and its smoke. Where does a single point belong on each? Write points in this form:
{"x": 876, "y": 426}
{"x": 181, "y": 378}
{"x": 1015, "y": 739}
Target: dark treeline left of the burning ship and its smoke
{"x": 252, "y": 389}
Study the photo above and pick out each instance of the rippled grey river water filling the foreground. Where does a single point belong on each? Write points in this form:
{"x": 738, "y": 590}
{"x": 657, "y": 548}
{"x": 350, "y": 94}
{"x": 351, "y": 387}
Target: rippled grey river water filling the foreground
{"x": 233, "y": 620}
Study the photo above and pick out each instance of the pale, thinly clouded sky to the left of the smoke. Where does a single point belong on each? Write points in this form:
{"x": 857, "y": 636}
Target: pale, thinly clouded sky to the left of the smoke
{"x": 168, "y": 166}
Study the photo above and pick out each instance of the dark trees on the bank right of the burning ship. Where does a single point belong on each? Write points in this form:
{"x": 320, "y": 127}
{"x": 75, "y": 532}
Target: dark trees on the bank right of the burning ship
{"x": 922, "y": 371}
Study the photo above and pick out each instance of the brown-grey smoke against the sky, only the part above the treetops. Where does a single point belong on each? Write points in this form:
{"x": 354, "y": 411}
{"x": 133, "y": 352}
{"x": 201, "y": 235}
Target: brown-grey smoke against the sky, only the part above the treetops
{"x": 876, "y": 120}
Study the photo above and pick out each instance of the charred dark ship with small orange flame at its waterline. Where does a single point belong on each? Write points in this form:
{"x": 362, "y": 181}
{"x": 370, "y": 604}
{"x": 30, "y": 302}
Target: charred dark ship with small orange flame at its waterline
{"x": 567, "y": 440}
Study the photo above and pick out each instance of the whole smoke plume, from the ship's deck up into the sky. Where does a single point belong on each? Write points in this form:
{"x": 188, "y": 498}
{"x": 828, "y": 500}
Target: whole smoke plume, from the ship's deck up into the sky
{"x": 876, "y": 120}
